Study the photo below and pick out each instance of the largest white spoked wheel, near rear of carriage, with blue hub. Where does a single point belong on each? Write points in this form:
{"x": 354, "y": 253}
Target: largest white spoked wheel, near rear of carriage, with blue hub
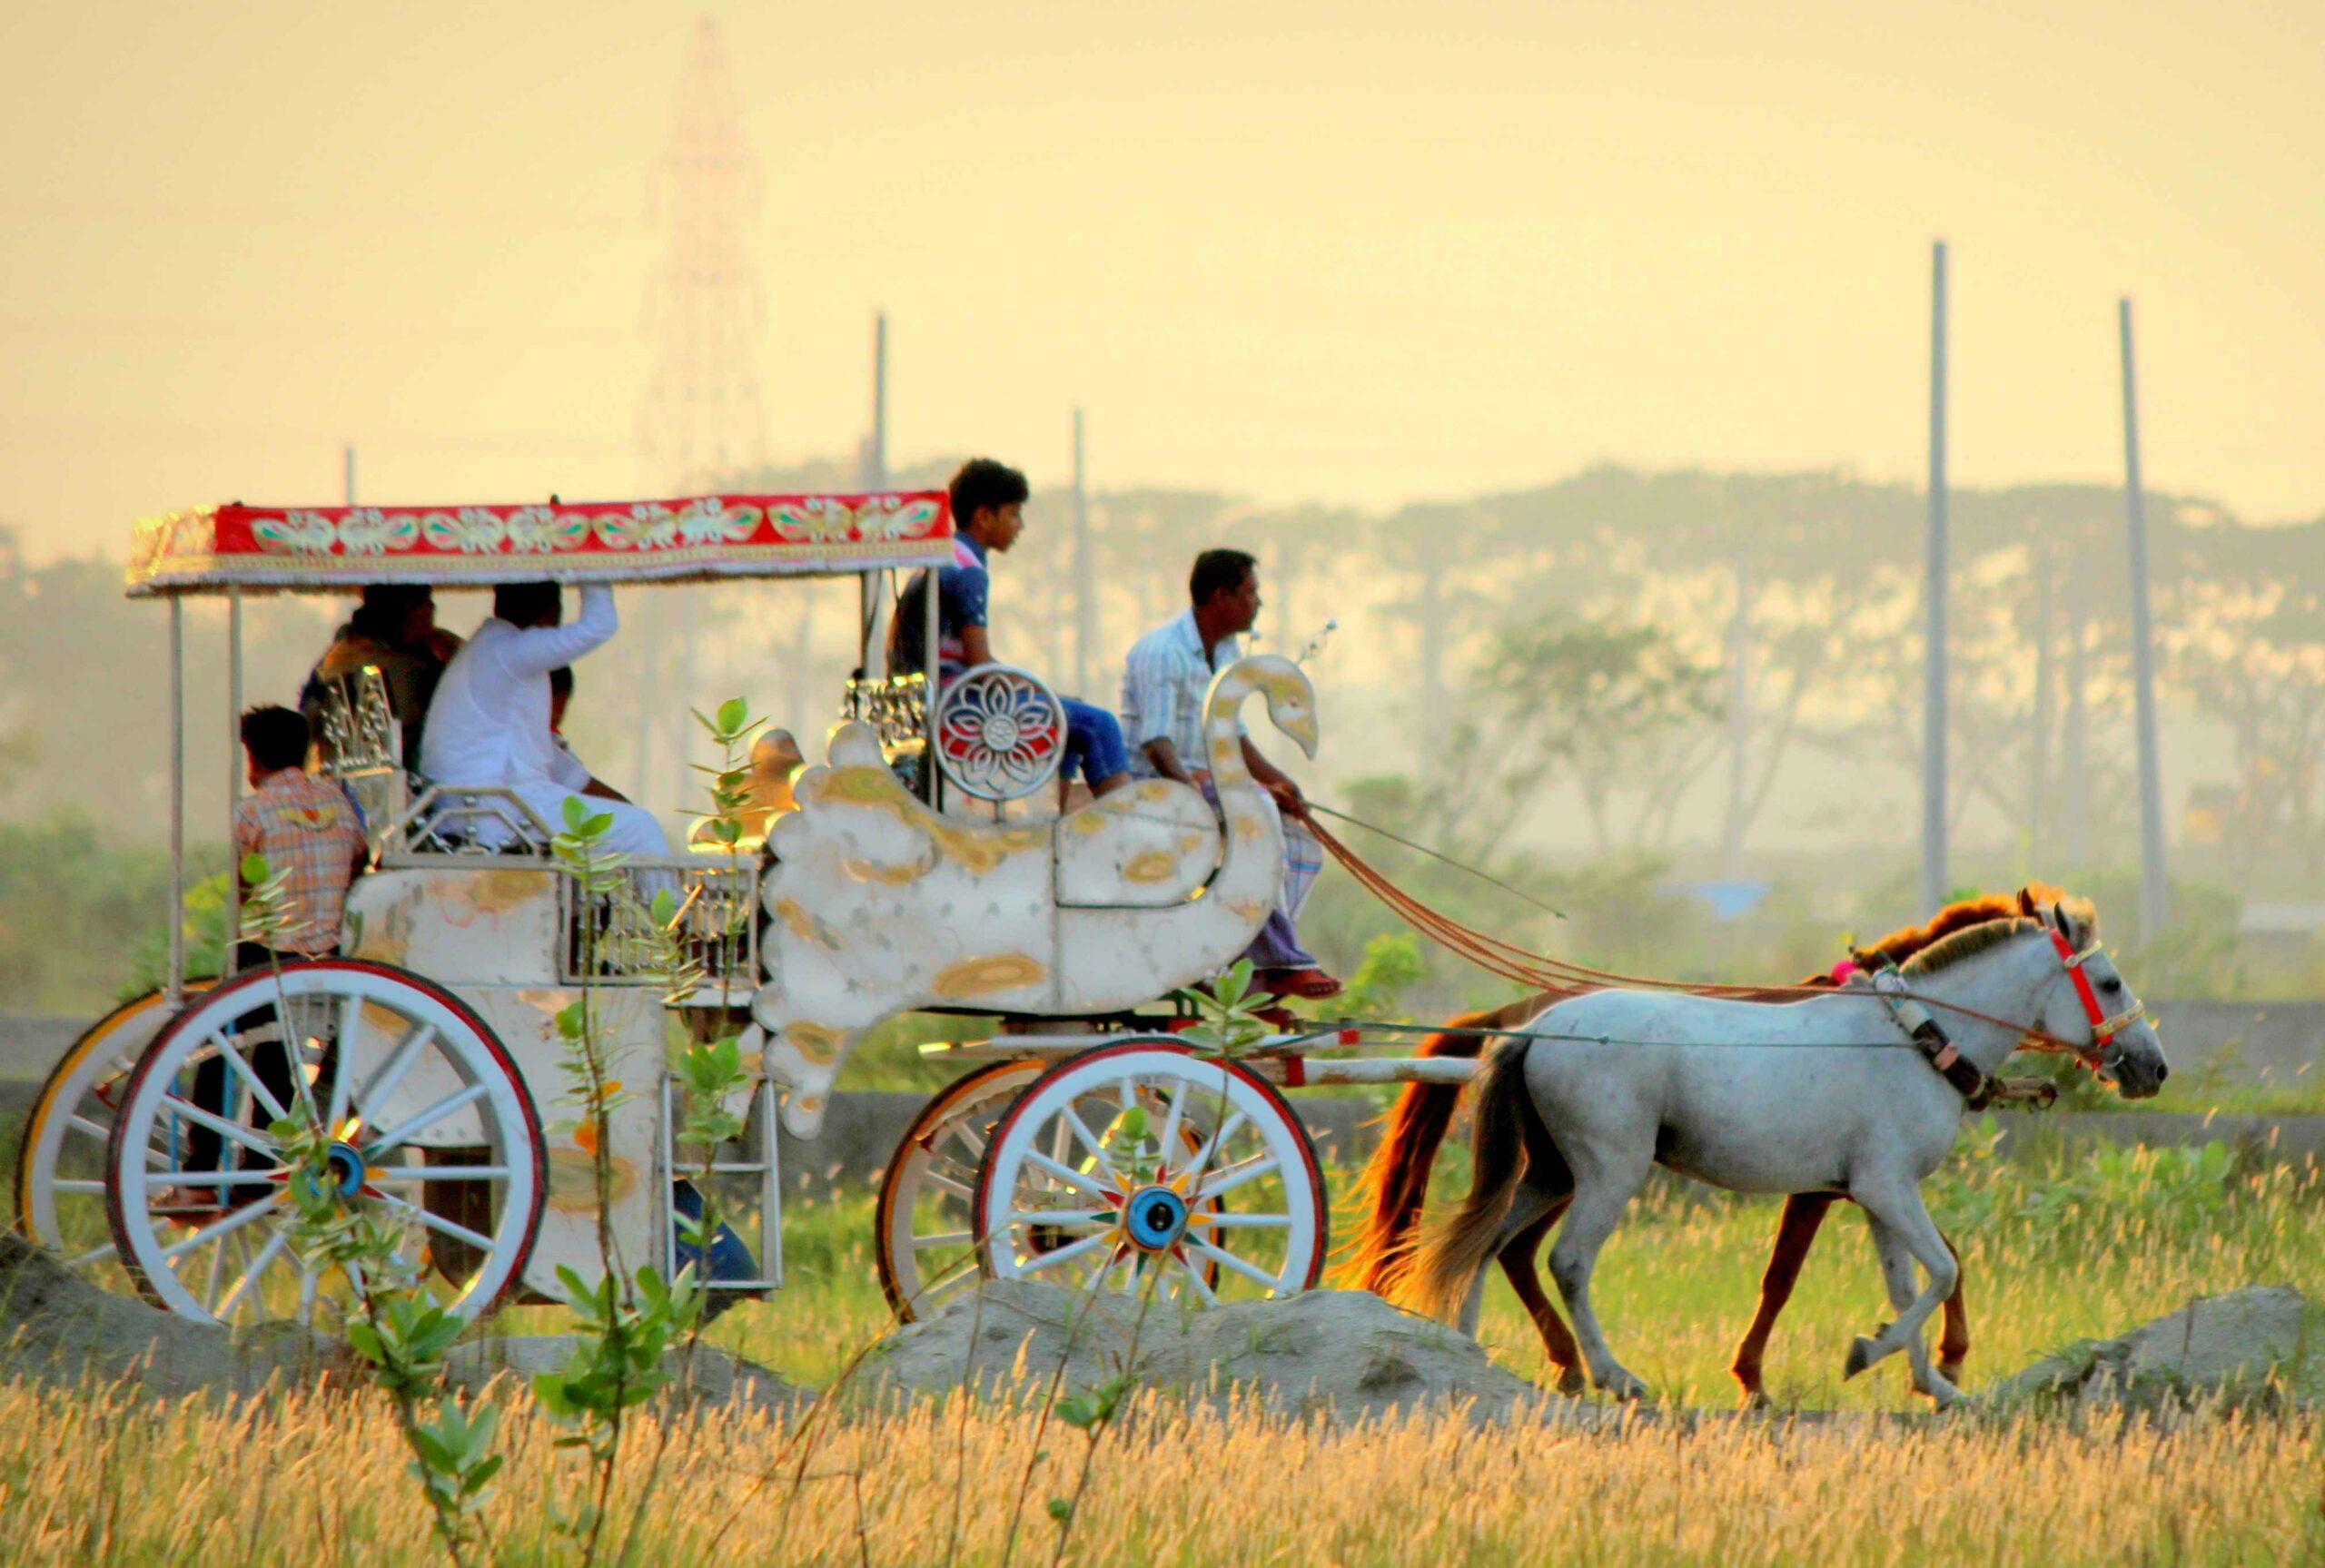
{"x": 429, "y": 1130}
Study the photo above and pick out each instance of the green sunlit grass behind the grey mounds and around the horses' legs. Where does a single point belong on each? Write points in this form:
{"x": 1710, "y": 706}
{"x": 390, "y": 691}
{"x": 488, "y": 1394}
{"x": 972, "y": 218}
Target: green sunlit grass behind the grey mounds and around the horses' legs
{"x": 2054, "y": 1251}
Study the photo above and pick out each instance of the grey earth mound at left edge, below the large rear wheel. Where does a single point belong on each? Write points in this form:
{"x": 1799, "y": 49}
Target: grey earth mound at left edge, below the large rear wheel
{"x": 62, "y": 1330}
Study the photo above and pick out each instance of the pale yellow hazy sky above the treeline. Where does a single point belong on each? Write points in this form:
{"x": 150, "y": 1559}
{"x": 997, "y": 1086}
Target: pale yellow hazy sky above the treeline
{"x": 1294, "y": 250}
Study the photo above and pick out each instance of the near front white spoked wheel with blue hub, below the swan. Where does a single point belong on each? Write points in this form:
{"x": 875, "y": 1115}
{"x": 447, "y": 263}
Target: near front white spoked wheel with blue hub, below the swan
{"x": 1092, "y": 1181}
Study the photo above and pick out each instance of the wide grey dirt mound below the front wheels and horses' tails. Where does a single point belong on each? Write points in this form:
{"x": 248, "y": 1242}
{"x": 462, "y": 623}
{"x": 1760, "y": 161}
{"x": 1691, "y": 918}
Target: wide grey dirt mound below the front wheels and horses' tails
{"x": 1324, "y": 1353}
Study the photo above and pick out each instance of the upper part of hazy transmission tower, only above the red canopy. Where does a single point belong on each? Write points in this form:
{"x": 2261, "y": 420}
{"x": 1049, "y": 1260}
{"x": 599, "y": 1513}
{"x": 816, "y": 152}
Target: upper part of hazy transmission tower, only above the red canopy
{"x": 703, "y": 415}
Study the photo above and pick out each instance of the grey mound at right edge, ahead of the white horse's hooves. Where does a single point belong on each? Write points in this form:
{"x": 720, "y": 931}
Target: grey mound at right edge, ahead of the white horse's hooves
{"x": 2212, "y": 1346}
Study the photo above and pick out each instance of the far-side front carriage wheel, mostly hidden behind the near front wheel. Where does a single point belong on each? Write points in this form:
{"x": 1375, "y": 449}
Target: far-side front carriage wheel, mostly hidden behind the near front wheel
{"x": 927, "y": 1235}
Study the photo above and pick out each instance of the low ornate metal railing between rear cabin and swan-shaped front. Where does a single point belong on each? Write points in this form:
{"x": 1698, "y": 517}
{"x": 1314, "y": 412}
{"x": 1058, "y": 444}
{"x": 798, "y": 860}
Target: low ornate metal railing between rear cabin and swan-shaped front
{"x": 610, "y": 935}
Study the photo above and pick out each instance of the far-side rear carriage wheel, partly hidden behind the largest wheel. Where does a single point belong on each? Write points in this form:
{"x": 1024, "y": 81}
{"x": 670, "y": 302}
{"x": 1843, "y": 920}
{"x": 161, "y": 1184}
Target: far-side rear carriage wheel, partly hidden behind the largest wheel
{"x": 62, "y": 1160}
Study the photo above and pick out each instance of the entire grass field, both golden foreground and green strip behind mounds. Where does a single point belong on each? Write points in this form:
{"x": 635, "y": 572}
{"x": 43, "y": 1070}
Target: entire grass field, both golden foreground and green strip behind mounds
{"x": 2056, "y": 1249}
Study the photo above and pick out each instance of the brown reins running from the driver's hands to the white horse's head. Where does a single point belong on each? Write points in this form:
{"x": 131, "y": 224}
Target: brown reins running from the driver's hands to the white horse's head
{"x": 1561, "y": 977}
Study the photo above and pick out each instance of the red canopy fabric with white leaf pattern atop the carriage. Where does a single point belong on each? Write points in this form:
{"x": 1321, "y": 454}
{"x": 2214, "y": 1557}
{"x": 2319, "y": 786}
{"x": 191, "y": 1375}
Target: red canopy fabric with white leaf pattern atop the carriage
{"x": 573, "y": 542}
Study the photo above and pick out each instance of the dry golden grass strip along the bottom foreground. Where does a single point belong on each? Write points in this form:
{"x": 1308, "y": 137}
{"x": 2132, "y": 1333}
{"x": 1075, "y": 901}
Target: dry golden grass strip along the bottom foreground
{"x": 310, "y": 1481}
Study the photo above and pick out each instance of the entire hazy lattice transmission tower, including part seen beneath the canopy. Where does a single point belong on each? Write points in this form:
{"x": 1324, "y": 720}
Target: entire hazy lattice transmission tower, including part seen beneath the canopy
{"x": 703, "y": 419}
